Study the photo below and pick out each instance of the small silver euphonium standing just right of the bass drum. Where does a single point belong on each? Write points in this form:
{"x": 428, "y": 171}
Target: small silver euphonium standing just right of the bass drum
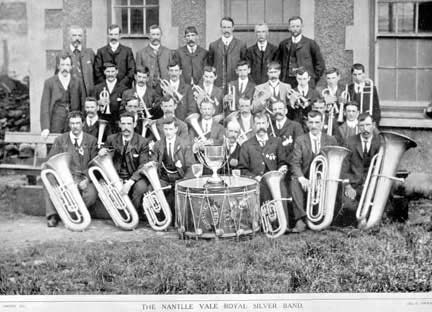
{"x": 273, "y": 217}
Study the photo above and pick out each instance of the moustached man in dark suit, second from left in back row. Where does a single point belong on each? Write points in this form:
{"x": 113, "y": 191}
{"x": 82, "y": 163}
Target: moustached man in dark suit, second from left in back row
{"x": 115, "y": 53}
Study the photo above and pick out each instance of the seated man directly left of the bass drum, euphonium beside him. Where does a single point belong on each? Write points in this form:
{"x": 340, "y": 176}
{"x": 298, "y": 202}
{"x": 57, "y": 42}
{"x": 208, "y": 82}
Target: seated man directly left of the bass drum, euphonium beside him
{"x": 175, "y": 157}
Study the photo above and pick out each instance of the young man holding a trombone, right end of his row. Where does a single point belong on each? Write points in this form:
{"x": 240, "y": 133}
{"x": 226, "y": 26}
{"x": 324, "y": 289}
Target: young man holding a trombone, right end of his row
{"x": 360, "y": 91}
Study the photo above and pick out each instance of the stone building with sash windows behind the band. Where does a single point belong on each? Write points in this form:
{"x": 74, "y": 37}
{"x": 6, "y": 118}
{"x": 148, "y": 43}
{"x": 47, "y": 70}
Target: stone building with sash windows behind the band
{"x": 393, "y": 38}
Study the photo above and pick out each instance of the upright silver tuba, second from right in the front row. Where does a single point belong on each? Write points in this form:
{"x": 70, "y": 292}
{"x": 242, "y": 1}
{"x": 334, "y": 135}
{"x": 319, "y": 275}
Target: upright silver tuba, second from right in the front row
{"x": 324, "y": 179}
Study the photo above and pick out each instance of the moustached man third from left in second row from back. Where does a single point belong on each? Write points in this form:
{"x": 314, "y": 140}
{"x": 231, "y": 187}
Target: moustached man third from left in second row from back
{"x": 145, "y": 94}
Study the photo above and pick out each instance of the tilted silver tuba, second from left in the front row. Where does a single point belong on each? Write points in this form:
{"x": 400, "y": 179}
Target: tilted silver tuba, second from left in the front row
{"x": 108, "y": 184}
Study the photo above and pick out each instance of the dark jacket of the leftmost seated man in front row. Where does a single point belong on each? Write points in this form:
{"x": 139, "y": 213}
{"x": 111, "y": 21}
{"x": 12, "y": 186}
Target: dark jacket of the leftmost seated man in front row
{"x": 80, "y": 162}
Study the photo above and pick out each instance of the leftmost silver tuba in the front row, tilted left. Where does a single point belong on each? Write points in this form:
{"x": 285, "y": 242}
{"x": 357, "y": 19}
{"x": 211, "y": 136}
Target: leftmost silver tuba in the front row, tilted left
{"x": 64, "y": 193}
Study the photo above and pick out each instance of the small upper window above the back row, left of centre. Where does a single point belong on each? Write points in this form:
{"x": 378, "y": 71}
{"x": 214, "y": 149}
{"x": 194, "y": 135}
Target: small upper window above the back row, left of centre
{"x": 135, "y": 16}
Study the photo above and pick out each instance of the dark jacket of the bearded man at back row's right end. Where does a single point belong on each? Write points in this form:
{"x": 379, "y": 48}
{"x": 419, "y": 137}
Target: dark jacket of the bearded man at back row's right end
{"x": 308, "y": 55}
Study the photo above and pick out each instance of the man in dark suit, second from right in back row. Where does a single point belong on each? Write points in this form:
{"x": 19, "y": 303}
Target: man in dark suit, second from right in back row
{"x": 260, "y": 54}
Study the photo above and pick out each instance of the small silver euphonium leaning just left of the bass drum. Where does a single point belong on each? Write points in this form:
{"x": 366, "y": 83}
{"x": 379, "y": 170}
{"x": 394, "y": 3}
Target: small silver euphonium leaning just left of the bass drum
{"x": 155, "y": 205}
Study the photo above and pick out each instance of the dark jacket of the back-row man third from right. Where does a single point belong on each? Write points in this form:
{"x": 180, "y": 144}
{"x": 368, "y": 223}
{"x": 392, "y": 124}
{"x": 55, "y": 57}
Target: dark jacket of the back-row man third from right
{"x": 216, "y": 58}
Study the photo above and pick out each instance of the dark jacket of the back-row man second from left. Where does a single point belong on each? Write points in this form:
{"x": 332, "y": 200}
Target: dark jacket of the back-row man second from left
{"x": 124, "y": 59}
